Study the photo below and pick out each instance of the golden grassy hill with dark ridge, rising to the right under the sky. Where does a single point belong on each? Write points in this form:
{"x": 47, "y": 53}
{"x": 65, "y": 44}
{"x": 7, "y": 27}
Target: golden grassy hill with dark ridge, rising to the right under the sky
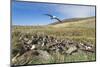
{"x": 88, "y": 22}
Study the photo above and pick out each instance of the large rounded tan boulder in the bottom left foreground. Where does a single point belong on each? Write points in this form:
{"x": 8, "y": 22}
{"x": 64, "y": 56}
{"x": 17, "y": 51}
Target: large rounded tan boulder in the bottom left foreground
{"x": 42, "y": 56}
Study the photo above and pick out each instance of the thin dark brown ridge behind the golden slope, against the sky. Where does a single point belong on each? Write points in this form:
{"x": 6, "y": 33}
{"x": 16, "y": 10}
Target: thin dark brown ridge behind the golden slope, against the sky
{"x": 72, "y": 20}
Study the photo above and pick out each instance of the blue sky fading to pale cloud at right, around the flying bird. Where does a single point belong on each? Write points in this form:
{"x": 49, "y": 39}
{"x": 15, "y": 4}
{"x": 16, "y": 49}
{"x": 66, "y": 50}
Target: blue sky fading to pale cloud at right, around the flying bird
{"x": 25, "y": 13}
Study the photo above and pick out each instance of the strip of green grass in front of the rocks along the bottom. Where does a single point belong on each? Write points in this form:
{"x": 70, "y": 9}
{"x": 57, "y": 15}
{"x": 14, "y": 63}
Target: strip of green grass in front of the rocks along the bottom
{"x": 59, "y": 58}
